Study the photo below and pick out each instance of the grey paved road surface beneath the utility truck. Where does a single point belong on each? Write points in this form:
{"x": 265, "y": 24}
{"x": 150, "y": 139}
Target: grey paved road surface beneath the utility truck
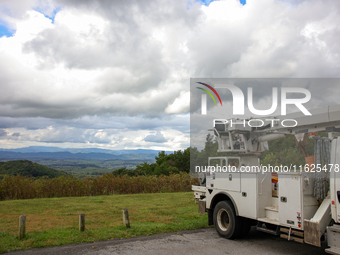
{"x": 202, "y": 241}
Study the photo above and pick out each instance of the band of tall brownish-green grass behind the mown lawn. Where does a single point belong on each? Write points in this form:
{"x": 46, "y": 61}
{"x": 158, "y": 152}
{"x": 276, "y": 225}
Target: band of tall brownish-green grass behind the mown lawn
{"x": 18, "y": 187}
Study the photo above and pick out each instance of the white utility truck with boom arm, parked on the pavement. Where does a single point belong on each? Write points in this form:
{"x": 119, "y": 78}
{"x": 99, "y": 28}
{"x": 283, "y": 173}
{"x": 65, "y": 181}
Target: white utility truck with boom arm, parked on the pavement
{"x": 237, "y": 191}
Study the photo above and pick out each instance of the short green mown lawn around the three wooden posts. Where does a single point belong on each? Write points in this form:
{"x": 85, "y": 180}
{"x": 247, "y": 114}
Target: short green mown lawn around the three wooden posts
{"x": 54, "y": 221}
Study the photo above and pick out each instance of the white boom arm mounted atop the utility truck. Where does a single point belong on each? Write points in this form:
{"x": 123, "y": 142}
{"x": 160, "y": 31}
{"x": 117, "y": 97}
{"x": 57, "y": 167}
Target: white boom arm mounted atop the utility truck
{"x": 250, "y": 136}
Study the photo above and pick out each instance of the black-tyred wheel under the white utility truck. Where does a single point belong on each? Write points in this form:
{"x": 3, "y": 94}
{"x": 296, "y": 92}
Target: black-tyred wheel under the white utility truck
{"x": 227, "y": 224}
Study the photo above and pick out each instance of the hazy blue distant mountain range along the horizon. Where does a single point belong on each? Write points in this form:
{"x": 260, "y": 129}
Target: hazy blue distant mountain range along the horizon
{"x": 43, "y": 152}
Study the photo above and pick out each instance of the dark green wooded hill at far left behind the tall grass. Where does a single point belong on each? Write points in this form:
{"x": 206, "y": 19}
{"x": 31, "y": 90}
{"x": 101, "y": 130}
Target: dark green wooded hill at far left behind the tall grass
{"x": 29, "y": 169}
